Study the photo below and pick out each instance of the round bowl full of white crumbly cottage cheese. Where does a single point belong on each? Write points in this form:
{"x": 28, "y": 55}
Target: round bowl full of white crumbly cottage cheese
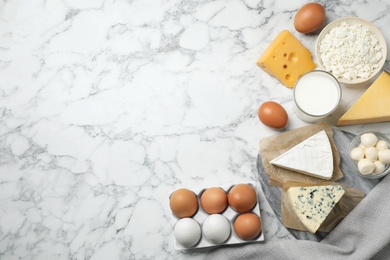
{"x": 352, "y": 49}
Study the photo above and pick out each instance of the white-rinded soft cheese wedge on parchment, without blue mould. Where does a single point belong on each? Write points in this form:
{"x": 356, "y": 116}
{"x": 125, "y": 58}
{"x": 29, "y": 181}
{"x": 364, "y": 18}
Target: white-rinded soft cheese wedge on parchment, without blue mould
{"x": 313, "y": 157}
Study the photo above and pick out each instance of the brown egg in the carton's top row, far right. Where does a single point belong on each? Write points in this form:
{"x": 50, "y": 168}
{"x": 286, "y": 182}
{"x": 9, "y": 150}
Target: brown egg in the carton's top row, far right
{"x": 242, "y": 197}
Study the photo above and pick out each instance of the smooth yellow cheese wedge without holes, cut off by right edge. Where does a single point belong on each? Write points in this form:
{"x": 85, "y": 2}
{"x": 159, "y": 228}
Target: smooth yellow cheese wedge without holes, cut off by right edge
{"x": 373, "y": 106}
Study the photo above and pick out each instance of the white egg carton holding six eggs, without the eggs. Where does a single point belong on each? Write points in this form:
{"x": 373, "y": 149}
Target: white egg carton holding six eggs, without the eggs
{"x": 228, "y": 213}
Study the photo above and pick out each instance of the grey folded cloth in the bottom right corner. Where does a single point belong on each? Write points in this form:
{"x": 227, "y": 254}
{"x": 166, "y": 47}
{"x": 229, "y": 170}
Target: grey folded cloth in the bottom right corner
{"x": 363, "y": 234}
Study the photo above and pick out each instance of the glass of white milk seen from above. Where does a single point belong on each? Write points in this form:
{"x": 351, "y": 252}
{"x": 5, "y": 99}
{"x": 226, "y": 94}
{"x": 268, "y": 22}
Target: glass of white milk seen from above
{"x": 317, "y": 94}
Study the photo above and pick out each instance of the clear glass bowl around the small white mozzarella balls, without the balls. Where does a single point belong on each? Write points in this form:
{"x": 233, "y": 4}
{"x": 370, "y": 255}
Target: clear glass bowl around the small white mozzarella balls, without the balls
{"x": 354, "y": 164}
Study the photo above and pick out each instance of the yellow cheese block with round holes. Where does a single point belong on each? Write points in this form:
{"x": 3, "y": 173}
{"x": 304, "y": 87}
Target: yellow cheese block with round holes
{"x": 286, "y": 59}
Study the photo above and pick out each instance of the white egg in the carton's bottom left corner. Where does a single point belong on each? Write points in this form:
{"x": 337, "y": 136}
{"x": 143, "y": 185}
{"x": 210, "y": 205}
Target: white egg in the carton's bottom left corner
{"x": 187, "y": 232}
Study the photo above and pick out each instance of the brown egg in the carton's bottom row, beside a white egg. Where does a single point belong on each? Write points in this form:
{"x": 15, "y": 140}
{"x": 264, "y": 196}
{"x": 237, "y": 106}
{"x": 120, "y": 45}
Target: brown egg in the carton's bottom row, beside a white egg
{"x": 247, "y": 226}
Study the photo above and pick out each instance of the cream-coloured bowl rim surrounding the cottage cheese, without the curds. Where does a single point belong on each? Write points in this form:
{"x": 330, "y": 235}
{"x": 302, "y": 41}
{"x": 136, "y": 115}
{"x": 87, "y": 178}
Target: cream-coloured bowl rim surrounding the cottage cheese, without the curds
{"x": 351, "y": 21}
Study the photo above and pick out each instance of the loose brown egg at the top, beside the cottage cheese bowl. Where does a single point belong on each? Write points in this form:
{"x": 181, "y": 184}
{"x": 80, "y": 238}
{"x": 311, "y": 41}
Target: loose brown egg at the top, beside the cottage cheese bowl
{"x": 309, "y": 18}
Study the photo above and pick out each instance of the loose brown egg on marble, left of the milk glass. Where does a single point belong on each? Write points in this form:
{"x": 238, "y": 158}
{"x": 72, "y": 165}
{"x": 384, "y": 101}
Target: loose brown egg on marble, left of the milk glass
{"x": 273, "y": 115}
